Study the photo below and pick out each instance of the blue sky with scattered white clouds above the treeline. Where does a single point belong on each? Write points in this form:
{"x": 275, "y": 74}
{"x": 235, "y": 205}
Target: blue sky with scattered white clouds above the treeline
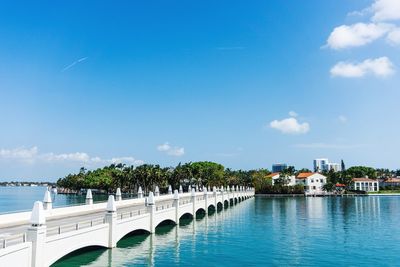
{"x": 243, "y": 84}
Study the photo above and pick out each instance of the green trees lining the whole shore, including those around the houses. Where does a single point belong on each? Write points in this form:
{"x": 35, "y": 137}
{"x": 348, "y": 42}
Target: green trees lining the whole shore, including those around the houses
{"x": 203, "y": 173}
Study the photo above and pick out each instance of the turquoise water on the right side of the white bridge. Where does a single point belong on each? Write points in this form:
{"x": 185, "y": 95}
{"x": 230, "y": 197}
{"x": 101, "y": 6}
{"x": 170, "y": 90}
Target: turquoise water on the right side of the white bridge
{"x": 268, "y": 232}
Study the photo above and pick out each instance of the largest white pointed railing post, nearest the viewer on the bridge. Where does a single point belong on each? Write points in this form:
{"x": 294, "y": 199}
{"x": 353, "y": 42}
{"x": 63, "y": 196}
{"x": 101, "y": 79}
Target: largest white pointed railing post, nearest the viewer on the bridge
{"x": 37, "y": 235}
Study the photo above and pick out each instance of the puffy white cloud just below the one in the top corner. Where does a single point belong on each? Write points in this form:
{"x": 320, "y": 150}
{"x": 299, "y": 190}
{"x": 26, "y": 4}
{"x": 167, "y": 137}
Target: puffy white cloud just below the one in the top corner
{"x": 358, "y": 34}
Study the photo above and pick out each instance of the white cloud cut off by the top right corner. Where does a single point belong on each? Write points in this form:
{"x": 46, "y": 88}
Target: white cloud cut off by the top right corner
{"x": 385, "y": 10}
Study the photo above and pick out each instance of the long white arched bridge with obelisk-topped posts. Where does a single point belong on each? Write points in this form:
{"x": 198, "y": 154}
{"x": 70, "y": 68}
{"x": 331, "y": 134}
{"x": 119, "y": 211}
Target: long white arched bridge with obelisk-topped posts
{"x": 43, "y": 236}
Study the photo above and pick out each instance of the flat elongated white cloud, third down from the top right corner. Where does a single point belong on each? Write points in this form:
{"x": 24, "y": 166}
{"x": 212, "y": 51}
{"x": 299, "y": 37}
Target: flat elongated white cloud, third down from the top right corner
{"x": 380, "y": 67}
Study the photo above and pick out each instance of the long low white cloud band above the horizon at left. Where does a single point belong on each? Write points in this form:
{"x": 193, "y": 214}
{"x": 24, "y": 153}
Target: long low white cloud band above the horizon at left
{"x": 32, "y": 155}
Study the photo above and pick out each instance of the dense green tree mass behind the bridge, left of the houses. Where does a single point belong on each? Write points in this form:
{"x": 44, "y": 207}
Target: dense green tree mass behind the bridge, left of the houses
{"x": 129, "y": 178}
